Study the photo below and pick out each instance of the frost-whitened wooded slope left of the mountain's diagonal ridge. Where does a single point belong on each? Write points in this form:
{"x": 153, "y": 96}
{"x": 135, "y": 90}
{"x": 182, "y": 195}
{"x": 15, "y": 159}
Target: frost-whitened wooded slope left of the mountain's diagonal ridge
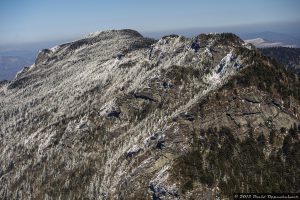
{"x": 73, "y": 90}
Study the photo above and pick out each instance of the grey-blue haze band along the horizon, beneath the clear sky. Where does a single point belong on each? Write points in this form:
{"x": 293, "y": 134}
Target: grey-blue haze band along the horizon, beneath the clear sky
{"x": 292, "y": 29}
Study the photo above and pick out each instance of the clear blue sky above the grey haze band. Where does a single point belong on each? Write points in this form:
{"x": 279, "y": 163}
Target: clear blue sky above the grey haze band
{"x": 24, "y": 21}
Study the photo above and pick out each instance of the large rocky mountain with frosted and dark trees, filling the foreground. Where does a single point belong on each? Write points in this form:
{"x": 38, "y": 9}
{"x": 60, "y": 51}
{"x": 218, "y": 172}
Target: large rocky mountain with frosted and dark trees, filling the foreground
{"x": 119, "y": 116}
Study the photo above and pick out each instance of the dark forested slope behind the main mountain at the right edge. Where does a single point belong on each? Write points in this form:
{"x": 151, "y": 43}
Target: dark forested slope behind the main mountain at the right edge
{"x": 289, "y": 57}
